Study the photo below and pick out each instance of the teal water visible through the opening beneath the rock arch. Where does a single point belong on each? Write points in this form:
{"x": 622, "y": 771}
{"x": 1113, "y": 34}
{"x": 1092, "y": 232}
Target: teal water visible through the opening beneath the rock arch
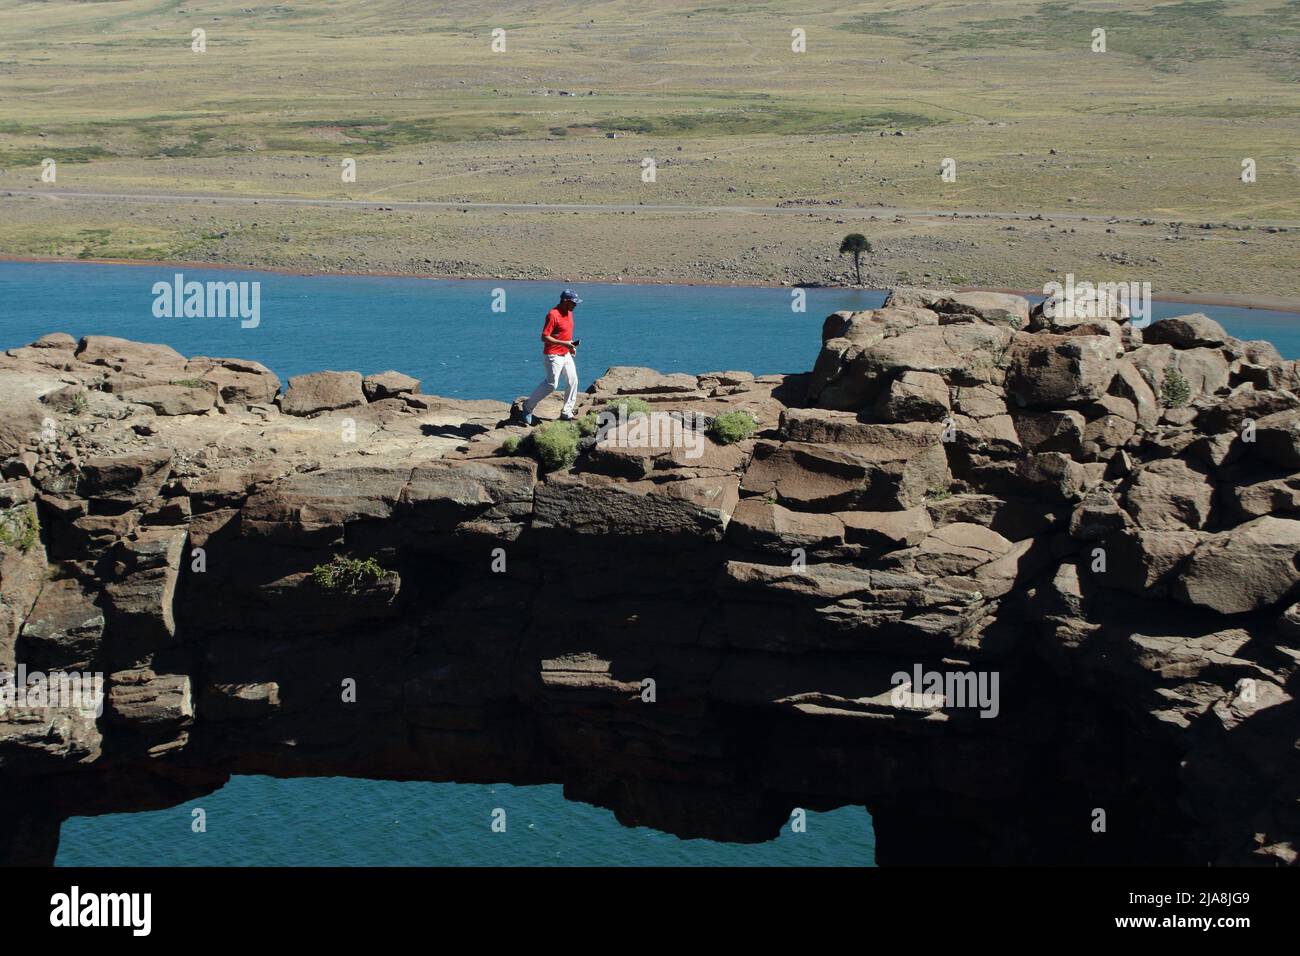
{"x": 259, "y": 821}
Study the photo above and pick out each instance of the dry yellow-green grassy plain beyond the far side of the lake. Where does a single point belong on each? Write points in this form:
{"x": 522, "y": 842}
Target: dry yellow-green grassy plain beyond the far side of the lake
{"x": 1152, "y": 133}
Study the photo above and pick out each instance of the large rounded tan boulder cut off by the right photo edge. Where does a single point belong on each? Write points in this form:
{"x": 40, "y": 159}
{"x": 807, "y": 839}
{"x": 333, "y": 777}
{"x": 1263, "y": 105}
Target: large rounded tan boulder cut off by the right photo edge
{"x": 1246, "y": 569}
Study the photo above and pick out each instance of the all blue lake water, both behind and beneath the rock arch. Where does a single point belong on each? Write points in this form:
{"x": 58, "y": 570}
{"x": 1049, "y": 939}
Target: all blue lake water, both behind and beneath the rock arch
{"x": 448, "y": 335}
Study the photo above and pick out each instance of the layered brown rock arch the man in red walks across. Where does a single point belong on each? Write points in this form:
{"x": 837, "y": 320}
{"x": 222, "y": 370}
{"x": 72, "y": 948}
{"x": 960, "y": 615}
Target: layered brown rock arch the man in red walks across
{"x": 1087, "y": 534}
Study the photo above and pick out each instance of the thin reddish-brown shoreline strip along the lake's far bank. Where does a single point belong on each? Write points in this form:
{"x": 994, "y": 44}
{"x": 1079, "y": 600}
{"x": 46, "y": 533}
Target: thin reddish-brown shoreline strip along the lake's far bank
{"x": 1269, "y": 304}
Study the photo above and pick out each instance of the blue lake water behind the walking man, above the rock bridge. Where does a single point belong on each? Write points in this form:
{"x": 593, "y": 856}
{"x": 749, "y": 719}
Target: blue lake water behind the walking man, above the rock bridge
{"x": 448, "y": 335}
